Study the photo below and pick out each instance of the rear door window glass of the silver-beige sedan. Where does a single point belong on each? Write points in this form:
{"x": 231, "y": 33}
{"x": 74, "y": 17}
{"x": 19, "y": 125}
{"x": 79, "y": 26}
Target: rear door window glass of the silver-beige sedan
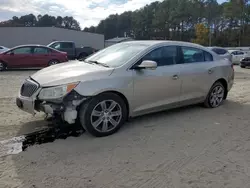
{"x": 192, "y": 55}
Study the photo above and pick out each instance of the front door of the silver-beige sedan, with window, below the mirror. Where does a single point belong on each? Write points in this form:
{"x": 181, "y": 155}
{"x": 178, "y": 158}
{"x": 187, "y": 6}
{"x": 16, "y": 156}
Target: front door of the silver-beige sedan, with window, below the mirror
{"x": 160, "y": 88}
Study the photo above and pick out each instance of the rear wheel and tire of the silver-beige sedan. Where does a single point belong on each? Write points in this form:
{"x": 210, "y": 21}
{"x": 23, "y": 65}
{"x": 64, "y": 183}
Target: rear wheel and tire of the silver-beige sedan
{"x": 216, "y": 93}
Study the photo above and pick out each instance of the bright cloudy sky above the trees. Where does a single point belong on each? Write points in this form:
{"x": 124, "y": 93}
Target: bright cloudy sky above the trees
{"x": 87, "y": 12}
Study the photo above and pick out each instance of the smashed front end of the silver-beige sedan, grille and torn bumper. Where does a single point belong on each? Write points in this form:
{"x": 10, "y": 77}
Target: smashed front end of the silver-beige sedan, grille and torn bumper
{"x": 66, "y": 106}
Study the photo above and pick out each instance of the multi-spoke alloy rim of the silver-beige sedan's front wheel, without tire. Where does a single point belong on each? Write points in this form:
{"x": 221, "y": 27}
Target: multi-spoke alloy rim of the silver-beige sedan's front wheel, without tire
{"x": 106, "y": 116}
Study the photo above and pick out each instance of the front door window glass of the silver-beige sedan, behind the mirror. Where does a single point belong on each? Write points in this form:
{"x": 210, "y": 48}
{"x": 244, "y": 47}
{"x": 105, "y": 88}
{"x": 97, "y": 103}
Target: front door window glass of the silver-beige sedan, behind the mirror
{"x": 163, "y": 56}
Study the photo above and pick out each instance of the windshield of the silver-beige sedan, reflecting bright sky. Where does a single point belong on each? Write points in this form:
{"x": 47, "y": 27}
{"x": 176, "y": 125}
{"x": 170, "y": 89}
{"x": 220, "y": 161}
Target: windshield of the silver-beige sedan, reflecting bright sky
{"x": 118, "y": 54}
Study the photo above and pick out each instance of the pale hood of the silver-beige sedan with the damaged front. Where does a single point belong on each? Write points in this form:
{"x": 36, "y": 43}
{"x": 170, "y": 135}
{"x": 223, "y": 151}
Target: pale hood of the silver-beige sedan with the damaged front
{"x": 69, "y": 72}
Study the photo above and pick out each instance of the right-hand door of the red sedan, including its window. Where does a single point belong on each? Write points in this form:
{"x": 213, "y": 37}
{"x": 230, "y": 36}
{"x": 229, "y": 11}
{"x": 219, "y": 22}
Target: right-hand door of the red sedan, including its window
{"x": 41, "y": 56}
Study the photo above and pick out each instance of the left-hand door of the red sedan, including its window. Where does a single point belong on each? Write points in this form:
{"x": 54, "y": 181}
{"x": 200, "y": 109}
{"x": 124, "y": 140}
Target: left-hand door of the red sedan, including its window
{"x": 20, "y": 57}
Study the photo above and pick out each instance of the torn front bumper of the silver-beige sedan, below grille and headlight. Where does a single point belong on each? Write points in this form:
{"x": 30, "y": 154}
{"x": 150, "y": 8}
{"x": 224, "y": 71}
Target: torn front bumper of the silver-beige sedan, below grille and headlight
{"x": 66, "y": 107}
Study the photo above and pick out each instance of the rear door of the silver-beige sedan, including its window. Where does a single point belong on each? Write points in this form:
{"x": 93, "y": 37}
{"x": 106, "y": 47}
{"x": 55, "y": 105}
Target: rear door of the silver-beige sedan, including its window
{"x": 196, "y": 74}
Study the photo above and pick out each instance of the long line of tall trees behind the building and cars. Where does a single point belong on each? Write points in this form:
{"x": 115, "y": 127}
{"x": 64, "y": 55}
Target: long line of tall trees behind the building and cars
{"x": 202, "y": 21}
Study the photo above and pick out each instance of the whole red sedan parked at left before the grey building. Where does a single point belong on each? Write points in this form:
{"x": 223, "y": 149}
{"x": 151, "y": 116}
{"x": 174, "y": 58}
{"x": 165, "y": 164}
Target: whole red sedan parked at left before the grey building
{"x": 31, "y": 56}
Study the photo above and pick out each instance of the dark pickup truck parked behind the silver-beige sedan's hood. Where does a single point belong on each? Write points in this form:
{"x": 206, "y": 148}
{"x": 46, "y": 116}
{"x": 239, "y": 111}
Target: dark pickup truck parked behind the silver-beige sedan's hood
{"x": 71, "y": 49}
